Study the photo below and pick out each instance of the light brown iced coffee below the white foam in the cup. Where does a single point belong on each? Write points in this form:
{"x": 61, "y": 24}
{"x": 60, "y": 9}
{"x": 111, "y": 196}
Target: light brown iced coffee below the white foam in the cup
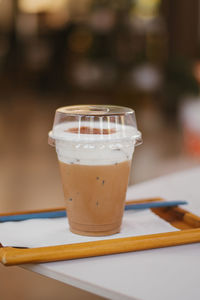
{"x": 95, "y": 196}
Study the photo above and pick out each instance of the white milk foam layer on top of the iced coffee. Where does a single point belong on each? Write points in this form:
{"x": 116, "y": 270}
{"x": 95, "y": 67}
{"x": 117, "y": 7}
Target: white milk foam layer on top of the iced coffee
{"x": 94, "y": 149}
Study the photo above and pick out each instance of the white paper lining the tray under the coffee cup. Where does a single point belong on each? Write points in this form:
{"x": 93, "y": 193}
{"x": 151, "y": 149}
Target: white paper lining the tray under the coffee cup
{"x": 49, "y": 232}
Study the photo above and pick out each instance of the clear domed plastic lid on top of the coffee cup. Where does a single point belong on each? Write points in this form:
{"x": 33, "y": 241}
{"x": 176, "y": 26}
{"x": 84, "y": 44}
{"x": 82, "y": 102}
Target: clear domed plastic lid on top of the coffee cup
{"x": 94, "y": 122}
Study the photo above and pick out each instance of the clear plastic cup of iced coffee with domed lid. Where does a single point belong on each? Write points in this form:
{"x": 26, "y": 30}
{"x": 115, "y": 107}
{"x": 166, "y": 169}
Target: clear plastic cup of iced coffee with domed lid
{"x": 94, "y": 145}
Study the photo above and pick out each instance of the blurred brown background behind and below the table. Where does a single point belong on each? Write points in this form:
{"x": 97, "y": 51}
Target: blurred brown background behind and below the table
{"x": 144, "y": 54}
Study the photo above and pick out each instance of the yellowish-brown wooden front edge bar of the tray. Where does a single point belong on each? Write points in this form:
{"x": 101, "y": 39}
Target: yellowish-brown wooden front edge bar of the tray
{"x": 11, "y": 256}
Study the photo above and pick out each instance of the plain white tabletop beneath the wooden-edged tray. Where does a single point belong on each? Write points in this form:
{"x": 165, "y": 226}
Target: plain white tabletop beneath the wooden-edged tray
{"x": 168, "y": 273}
